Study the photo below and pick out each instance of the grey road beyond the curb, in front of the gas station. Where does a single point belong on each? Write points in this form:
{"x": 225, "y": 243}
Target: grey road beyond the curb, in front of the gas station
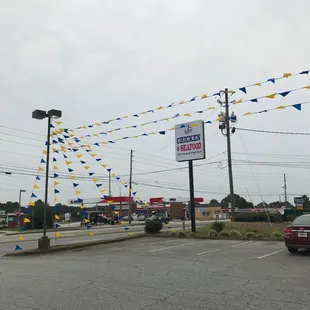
{"x": 8, "y": 242}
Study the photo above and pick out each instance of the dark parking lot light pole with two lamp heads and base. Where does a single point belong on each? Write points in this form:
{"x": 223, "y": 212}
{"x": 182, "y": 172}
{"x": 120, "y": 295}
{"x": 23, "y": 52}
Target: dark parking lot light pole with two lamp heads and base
{"x": 44, "y": 241}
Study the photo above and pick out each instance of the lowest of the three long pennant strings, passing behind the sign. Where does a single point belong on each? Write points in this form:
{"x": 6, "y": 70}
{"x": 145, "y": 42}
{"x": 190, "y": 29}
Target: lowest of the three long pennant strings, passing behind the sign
{"x": 80, "y": 143}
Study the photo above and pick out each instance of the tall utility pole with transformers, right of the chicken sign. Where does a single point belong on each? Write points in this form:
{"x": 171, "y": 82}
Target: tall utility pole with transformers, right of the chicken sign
{"x": 225, "y": 128}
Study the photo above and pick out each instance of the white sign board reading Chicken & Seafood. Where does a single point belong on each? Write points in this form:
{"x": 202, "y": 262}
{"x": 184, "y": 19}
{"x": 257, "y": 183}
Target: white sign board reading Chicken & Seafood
{"x": 190, "y": 141}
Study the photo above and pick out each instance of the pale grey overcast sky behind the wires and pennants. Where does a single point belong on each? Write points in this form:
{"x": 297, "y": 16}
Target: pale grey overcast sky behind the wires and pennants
{"x": 97, "y": 60}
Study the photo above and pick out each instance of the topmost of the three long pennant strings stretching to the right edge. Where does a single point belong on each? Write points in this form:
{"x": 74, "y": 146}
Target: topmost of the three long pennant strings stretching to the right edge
{"x": 243, "y": 89}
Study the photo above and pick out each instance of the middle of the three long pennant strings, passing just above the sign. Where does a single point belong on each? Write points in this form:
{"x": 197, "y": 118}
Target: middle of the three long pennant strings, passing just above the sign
{"x": 69, "y": 133}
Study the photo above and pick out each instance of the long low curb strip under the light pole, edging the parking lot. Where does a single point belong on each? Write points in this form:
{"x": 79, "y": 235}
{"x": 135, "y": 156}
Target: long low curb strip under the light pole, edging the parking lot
{"x": 68, "y": 247}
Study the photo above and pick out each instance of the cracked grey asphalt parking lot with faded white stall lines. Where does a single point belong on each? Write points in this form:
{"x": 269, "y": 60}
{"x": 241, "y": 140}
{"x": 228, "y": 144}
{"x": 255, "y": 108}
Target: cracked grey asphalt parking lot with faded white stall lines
{"x": 158, "y": 273}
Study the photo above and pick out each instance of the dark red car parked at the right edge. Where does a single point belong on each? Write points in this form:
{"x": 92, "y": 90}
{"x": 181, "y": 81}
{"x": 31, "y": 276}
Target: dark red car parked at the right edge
{"x": 297, "y": 234}
